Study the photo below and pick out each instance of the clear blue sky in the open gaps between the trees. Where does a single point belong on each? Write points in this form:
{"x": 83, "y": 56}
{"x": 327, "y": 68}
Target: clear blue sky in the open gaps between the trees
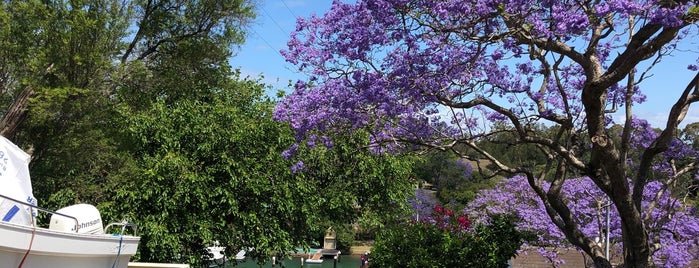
{"x": 277, "y": 18}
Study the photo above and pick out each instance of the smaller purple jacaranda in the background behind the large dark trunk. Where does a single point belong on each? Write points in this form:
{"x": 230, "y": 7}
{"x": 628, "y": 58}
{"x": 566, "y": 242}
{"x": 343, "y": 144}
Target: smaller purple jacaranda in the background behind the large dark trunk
{"x": 673, "y": 223}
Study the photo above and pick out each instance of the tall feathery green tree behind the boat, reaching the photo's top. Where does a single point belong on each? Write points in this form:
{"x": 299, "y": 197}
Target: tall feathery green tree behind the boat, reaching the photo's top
{"x": 67, "y": 66}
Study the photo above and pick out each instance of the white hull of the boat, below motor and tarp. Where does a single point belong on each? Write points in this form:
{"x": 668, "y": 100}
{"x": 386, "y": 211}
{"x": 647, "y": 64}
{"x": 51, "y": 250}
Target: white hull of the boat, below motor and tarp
{"x": 57, "y": 249}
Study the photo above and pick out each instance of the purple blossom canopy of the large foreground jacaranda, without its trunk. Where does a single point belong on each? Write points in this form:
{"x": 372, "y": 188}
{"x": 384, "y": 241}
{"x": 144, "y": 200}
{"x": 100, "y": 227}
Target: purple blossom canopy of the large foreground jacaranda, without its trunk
{"x": 409, "y": 70}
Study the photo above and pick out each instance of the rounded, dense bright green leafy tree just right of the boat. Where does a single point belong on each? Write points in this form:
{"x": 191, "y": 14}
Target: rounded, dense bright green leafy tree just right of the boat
{"x": 213, "y": 171}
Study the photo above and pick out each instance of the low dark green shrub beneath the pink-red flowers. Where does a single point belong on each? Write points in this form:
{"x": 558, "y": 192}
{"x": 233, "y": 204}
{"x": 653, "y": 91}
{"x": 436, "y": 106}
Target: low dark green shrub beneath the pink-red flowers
{"x": 442, "y": 242}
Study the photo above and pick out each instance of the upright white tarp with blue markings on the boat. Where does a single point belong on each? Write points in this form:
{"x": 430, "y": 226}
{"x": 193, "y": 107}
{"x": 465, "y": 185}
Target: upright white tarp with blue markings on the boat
{"x": 15, "y": 183}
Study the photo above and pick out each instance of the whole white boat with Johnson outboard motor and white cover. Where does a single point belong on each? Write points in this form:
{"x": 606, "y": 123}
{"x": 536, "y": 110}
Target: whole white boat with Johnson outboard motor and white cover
{"x": 75, "y": 237}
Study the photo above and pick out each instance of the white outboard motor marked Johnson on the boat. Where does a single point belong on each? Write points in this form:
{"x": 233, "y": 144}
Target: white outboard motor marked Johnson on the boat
{"x": 89, "y": 220}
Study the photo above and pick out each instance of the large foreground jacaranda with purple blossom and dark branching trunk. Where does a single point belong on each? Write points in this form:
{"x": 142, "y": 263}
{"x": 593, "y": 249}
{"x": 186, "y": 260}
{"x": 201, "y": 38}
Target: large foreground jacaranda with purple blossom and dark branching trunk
{"x": 438, "y": 73}
